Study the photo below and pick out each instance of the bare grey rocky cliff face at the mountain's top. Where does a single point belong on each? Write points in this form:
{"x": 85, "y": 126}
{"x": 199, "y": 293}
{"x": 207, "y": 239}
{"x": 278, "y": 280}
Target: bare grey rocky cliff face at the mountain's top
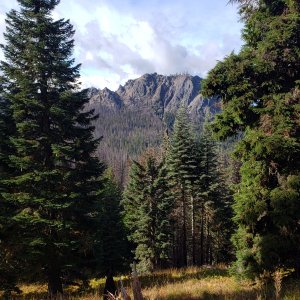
{"x": 161, "y": 94}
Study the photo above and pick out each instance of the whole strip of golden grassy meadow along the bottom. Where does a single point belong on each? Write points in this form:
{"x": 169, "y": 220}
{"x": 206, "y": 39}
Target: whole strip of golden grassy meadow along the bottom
{"x": 186, "y": 284}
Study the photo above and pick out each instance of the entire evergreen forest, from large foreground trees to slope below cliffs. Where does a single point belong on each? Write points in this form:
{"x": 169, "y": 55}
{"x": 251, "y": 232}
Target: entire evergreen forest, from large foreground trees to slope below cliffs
{"x": 222, "y": 192}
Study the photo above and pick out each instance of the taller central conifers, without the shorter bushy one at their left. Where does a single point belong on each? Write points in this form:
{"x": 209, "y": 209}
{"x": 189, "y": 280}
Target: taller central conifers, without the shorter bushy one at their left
{"x": 202, "y": 212}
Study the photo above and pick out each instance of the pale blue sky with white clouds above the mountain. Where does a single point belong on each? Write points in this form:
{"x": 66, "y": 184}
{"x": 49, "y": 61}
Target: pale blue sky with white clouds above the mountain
{"x": 118, "y": 40}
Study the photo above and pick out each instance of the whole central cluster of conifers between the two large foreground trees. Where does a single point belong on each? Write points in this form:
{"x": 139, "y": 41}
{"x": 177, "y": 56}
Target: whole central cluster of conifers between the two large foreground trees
{"x": 177, "y": 205}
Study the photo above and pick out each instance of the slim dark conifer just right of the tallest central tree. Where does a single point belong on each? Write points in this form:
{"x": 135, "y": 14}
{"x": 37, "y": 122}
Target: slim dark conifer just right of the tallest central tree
{"x": 215, "y": 202}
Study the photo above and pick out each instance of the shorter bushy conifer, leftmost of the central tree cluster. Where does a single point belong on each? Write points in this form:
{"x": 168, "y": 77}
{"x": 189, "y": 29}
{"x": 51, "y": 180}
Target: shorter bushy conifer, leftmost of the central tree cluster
{"x": 147, "y": 207}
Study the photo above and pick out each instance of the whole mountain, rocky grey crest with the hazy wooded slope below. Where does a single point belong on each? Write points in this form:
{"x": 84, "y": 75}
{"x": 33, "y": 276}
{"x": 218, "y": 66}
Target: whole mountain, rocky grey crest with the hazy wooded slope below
{"x": 135, "y": 116}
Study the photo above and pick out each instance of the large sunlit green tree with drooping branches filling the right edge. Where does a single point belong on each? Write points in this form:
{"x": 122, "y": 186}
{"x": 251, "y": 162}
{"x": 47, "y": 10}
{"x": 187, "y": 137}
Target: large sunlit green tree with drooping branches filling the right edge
{"x": 260, "y": 90}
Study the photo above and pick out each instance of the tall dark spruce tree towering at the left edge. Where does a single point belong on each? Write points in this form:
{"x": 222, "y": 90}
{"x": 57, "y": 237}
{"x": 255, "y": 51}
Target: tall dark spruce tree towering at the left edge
{"x": 53, "y": 190}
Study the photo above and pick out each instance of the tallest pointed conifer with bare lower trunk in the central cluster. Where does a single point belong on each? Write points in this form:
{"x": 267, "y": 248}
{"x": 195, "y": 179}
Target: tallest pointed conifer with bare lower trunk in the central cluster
{"x": 182, "y": 165}
